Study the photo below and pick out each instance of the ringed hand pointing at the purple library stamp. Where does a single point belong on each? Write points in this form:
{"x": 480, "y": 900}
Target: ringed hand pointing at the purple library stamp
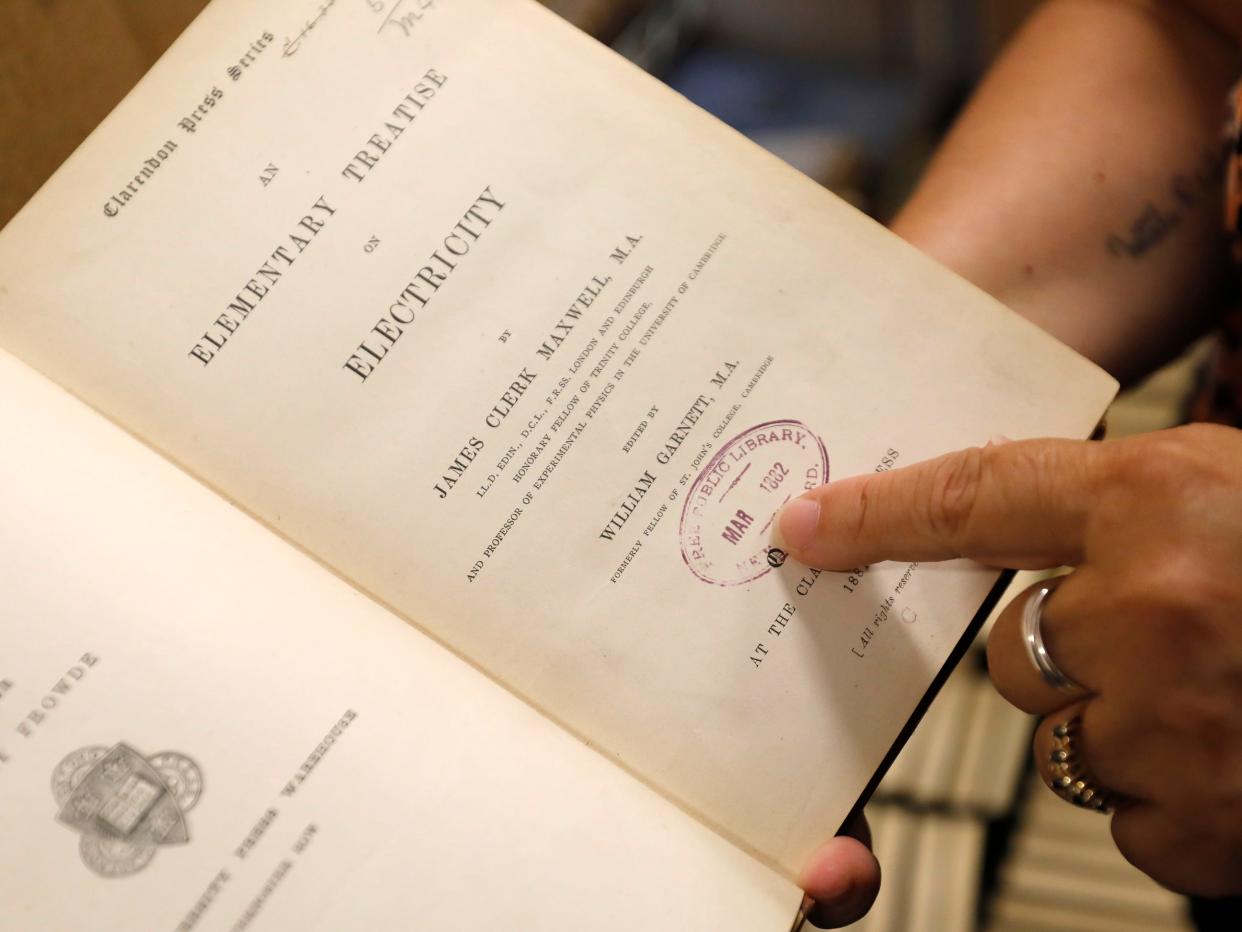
{"x": 1149, "y": 623}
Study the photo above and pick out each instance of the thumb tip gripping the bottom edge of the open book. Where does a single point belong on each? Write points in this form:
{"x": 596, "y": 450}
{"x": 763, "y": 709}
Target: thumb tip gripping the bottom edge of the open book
{"x": 843, "y": 878}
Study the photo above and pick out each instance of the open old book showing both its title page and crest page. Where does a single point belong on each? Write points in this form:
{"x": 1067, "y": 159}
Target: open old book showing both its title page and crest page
{"x": 398, "y": 397}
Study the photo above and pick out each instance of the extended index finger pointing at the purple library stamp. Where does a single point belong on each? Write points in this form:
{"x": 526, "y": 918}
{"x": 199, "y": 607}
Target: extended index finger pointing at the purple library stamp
{"x": 1022, "y": 505}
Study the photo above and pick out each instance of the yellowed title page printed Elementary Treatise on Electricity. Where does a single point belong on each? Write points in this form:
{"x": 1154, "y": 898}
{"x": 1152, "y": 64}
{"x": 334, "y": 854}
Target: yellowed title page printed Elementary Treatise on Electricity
{"x": 532, "y": 351}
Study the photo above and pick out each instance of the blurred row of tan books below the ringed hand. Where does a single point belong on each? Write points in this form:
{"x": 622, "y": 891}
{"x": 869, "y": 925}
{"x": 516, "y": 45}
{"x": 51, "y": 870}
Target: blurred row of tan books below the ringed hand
{"x": 971, "y": 839}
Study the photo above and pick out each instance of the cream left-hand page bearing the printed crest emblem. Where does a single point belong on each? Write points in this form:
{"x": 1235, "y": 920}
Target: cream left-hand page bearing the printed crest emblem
{"x": 309, "y": 761}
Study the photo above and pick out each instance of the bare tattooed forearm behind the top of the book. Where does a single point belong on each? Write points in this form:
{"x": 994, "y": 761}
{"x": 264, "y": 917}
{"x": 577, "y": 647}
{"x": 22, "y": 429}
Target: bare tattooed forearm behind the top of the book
{"x": 1082, "y": 185}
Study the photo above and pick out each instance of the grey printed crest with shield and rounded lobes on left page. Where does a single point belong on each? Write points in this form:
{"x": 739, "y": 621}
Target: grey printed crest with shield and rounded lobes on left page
{"x": 126, "y": 806}
